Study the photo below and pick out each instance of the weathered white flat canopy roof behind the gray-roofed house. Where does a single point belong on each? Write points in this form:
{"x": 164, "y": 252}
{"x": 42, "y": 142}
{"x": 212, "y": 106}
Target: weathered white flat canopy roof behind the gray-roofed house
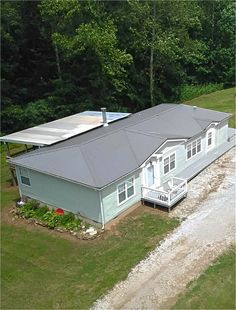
{"x": 61, "y": 129}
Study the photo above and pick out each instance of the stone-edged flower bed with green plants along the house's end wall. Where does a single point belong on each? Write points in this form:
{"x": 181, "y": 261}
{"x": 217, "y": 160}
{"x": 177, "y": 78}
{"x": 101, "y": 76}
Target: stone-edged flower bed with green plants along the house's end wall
{"x": 55, "y": 219}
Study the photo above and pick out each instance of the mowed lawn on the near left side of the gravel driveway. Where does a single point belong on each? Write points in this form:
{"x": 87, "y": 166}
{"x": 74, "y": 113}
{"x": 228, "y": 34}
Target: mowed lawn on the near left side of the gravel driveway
{"x": 39, "y": 270}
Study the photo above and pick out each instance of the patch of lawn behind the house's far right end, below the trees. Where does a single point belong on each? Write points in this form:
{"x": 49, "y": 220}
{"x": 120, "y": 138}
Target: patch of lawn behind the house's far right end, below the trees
{"x": 223, "y": 100}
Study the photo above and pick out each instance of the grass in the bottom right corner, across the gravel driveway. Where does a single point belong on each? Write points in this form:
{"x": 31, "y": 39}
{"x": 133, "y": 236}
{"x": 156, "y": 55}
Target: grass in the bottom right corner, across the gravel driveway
{"x": 214, "y": 289}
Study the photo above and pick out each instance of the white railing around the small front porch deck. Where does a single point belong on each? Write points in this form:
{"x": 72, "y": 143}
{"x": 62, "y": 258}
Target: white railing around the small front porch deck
{"x": 167, "y": 194}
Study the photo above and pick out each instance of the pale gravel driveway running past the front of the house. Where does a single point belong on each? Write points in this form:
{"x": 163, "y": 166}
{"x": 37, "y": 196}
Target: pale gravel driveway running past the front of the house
{"x": 206, "y": 231}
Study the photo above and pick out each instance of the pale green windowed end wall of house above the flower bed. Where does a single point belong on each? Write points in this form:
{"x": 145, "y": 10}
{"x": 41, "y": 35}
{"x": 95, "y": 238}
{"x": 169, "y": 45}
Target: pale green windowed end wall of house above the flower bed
{"x": 62, "y": 194}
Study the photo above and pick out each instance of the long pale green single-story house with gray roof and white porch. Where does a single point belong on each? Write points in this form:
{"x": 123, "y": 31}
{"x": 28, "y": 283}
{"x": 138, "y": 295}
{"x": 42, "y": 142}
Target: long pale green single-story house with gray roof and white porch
{"x": 147, "y": 156}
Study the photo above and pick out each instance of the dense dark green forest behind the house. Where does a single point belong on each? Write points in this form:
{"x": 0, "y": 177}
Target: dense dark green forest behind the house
{"x": 61, "y": 57}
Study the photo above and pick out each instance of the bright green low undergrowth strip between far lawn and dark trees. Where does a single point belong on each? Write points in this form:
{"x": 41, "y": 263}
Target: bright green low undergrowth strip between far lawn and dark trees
{"x": 188, "y": 92}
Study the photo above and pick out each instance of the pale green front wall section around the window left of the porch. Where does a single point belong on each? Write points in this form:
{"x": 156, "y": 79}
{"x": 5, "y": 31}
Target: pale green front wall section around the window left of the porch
{"x": 110, "y": 197}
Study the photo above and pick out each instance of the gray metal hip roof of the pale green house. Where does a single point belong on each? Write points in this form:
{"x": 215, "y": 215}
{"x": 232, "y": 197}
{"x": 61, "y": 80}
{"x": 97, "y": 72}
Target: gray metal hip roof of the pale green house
{"x": 101, "y": 156}
